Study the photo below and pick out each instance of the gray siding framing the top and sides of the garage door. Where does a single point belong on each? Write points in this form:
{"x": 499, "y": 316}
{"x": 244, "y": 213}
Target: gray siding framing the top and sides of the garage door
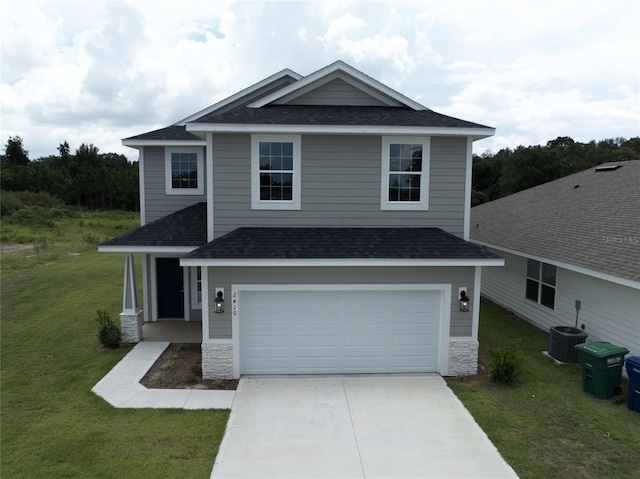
{"x": 220, "y": 323}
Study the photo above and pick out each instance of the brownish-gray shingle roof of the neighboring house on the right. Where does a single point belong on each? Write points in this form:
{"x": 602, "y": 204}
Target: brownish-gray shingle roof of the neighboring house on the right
{"x": 590, "y": 220}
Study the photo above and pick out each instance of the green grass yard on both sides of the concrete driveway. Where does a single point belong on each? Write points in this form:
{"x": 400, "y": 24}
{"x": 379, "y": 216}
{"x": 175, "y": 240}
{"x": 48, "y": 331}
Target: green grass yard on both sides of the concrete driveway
{"x": 54, "y": 426}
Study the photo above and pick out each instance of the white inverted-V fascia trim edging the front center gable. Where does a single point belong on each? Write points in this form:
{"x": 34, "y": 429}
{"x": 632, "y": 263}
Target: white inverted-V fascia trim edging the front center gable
{"x": 348, "y": 70}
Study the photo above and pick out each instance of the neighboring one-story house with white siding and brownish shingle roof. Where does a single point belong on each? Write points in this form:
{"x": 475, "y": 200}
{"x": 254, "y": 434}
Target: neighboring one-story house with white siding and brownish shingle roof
{"x": 572, "y": 252}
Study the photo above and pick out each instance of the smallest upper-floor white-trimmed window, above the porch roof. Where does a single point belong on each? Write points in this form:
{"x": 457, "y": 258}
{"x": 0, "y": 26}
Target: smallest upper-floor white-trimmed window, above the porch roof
{"x": 184, "y": 172}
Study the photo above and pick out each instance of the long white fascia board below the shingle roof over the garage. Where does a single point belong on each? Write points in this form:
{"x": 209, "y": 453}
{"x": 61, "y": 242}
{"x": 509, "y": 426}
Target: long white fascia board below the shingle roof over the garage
{"x": 339, "y": 262}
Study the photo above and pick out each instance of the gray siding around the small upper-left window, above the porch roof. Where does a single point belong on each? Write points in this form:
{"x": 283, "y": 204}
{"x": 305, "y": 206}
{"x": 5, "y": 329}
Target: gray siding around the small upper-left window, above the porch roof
{"x": 157, "y": 202}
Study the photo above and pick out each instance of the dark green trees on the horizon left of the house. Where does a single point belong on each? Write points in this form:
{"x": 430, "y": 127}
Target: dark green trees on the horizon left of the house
{"x": 86, "y": 178}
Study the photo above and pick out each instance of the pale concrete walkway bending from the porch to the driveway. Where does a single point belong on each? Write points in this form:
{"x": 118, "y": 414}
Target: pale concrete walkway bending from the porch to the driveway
{"x": 121, "y": 386}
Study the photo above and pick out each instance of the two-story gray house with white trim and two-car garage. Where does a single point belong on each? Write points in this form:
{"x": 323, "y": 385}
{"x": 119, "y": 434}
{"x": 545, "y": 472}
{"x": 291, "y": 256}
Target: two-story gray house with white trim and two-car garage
{"x": 329, "y": 212}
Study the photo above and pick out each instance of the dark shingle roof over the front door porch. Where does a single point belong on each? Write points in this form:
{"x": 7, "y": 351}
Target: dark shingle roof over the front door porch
{"x": 187, "y": 227}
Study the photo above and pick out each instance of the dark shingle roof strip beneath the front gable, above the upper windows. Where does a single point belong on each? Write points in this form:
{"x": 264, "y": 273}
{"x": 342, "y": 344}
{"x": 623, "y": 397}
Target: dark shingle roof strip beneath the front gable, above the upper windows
{"x": 336, "y": 115}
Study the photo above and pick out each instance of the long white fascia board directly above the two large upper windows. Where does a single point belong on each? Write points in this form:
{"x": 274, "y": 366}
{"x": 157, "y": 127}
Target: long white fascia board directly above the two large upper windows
{"x": 475, "y": 133}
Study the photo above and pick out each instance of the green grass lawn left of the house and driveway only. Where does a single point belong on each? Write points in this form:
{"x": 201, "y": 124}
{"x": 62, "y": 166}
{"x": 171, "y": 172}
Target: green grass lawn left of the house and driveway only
{"x": 52, "y": 424}
